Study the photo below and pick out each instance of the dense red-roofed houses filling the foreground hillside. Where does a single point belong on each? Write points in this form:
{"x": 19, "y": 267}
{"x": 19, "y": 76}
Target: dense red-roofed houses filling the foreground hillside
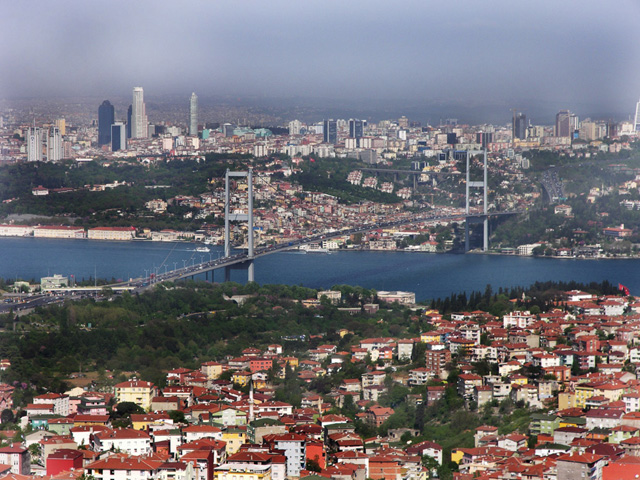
{"x": 565, "y": 377}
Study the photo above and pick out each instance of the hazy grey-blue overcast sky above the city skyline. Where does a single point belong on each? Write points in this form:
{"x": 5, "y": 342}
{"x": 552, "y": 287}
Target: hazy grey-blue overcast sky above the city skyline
{"x": 519, "y": 52}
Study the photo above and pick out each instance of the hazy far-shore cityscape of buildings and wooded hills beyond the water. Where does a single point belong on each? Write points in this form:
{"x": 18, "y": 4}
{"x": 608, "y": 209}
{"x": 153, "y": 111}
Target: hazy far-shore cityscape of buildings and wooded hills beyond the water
{"x": 578, "y": 185}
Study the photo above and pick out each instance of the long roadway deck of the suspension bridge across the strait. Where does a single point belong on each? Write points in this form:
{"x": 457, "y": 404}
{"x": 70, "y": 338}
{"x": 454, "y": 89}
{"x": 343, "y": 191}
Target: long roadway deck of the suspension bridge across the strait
{"x": 141, "y": 284}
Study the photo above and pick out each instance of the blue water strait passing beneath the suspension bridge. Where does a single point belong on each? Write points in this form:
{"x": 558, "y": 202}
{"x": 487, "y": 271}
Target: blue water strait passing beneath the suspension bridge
{"x": 428, "y": 275}
